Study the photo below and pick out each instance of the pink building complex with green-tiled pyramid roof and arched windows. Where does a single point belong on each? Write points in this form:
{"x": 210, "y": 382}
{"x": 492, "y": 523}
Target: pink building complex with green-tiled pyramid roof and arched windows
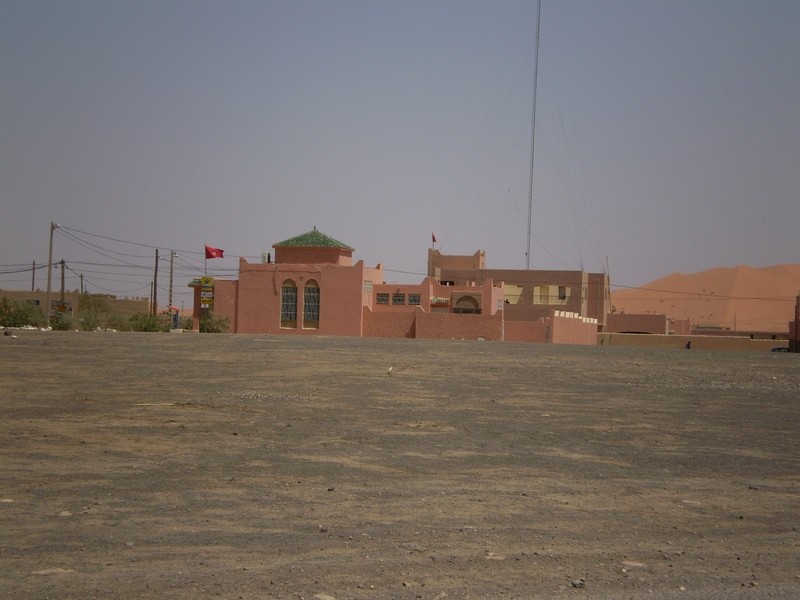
{"x": 313, "y": 288}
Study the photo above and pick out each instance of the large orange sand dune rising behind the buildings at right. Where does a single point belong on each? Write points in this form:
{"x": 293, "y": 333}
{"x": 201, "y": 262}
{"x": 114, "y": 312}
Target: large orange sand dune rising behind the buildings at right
{"x": 741, "y": 298}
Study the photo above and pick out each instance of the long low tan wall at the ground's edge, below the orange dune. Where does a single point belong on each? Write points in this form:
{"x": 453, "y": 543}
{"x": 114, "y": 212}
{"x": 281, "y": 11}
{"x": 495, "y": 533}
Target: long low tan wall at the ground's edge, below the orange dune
{"x": 678, "y": 342}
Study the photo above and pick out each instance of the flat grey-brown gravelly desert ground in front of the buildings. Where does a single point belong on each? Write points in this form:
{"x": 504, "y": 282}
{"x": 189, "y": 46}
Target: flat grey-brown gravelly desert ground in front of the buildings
{"x": 199, "y": 466}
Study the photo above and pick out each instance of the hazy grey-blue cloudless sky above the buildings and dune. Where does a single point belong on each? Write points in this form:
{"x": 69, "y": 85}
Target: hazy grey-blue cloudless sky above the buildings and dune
{"x": 667, "y": 135}
